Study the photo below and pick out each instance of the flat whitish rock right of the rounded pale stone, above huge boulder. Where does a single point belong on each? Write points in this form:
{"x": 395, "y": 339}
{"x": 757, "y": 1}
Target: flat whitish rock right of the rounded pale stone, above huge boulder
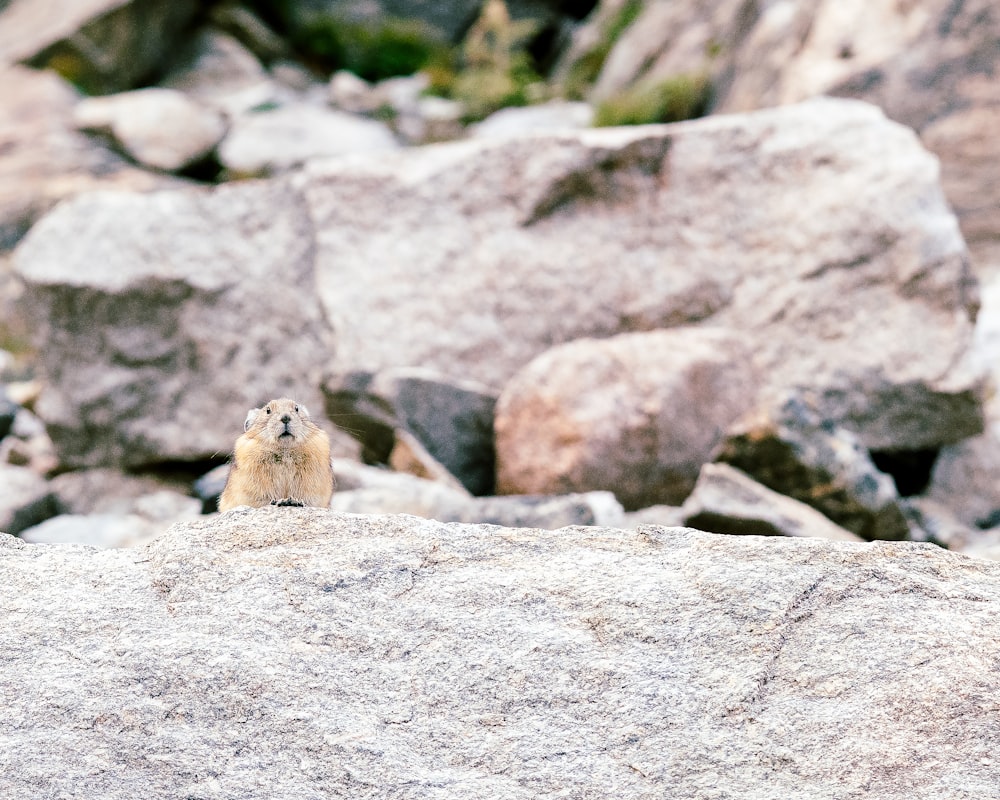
{"x": 272, "y": 141}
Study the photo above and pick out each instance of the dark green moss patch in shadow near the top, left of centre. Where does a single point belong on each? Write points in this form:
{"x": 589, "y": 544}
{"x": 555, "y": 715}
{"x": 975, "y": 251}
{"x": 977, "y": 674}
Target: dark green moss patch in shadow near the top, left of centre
{"x": 394, "y": 47}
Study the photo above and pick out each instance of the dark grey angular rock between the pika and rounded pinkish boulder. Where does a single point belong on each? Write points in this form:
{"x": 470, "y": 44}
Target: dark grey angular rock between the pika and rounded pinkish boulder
{"x": 452, "y": 418}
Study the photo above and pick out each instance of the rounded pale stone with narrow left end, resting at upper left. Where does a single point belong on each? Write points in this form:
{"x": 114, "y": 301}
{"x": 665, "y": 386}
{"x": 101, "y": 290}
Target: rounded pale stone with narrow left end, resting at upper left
{"x": 159, "y": 128}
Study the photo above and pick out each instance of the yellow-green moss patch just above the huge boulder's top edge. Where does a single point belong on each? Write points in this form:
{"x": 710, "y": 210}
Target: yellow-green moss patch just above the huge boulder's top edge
{"x": 677, "y": 98}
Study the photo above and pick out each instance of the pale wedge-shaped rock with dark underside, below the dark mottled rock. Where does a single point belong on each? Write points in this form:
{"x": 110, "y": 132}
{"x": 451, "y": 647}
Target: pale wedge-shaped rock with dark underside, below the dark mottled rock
{"x": 726, "y": 500}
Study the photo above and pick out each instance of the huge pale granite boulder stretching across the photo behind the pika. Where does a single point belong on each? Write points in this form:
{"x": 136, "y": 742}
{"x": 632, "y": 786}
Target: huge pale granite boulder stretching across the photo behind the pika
{"x": 818, "y": 232}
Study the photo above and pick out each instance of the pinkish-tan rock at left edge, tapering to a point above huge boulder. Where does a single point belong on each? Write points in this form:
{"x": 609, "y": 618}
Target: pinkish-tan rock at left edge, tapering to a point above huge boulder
{"x": 42, "y": 158}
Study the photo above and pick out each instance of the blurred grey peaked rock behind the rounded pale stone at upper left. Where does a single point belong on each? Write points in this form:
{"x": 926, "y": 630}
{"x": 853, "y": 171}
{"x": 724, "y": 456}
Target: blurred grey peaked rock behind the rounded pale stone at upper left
{"x": 217, "y": 70}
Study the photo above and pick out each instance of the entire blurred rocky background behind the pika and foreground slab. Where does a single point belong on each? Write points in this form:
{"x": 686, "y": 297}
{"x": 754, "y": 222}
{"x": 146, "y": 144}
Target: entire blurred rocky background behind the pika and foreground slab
{"x": 450, "y": 230}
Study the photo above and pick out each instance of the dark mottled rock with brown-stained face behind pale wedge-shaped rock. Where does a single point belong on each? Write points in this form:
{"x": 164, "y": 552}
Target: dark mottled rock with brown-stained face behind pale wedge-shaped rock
{"x": 791, "y": 450}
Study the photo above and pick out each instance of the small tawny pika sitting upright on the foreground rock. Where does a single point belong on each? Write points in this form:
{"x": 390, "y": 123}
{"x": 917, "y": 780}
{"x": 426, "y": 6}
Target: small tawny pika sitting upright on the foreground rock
{"x": 282, "y": 458}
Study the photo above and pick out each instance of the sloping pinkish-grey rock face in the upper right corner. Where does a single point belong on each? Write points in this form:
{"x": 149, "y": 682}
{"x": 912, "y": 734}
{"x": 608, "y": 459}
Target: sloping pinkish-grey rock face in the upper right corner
{"x": 931, "y": 65}
